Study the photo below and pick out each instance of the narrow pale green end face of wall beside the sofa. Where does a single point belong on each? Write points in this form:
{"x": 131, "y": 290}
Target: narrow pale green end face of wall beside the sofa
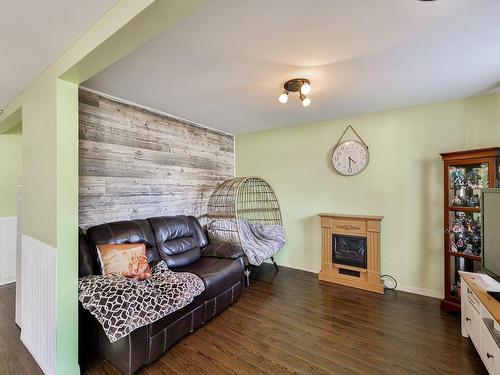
{"x": 67, "y": 228}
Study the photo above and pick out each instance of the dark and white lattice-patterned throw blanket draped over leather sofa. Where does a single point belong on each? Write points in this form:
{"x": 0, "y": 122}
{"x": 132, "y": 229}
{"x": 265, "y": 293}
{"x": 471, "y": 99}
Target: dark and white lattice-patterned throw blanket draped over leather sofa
{"x": 122, "y": 305}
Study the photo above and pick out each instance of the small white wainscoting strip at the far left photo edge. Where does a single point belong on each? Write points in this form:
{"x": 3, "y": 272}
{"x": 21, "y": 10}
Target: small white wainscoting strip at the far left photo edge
{"x": 8, "y": 240}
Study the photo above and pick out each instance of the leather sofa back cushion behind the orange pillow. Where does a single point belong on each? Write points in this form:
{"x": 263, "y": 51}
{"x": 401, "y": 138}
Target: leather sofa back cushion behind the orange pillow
{"x": 125, "y": 232}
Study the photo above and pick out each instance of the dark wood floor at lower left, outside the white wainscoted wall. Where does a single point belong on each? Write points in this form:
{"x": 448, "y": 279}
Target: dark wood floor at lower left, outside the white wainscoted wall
{"x": 15, "y": 359}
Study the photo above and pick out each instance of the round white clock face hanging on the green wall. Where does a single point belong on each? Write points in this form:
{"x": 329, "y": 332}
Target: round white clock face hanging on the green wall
{"x": 350, "y": 158}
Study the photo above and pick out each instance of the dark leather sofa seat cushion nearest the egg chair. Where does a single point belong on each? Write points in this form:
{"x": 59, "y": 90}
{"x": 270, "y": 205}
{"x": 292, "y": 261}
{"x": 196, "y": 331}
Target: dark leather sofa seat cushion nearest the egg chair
{"x": 218, "y": 274}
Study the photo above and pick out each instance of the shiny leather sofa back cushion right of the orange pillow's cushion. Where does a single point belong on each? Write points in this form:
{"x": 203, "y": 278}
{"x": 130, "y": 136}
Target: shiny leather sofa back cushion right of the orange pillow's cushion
{"x": 177, "y": 240}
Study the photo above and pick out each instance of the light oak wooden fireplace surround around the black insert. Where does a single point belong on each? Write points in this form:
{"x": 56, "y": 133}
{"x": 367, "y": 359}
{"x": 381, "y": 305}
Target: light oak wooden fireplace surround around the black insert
{"x": 364, "y": 226}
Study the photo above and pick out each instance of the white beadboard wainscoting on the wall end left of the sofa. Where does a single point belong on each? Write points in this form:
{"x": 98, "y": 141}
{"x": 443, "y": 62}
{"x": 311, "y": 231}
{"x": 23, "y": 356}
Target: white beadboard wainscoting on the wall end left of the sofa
{"x": 38, "y": 302}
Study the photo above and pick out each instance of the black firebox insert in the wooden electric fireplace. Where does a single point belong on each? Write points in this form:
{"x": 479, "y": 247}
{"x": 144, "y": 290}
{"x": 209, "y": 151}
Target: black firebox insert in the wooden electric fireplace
{"x": 349, "y": 250}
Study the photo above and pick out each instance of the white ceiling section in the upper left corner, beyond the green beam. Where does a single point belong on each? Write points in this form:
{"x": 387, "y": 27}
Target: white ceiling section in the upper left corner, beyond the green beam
{"x": 33, "y": 33}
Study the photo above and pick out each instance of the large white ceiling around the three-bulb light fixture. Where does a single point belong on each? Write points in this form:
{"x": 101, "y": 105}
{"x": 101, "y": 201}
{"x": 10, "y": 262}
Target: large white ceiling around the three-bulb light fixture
{"x": 224, "y": 65}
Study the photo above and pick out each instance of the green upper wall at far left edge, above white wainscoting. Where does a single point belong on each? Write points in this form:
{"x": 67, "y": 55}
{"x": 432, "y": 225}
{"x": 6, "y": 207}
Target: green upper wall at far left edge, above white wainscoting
{"x": 11, "y": 158}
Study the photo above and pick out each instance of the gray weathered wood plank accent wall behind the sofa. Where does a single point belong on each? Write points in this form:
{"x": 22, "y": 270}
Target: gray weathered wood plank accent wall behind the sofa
{"x": 136, "y": 164}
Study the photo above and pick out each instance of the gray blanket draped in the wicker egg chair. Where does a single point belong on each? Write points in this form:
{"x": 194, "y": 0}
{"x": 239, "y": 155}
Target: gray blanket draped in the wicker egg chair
{"x": 260, "y": 241}
